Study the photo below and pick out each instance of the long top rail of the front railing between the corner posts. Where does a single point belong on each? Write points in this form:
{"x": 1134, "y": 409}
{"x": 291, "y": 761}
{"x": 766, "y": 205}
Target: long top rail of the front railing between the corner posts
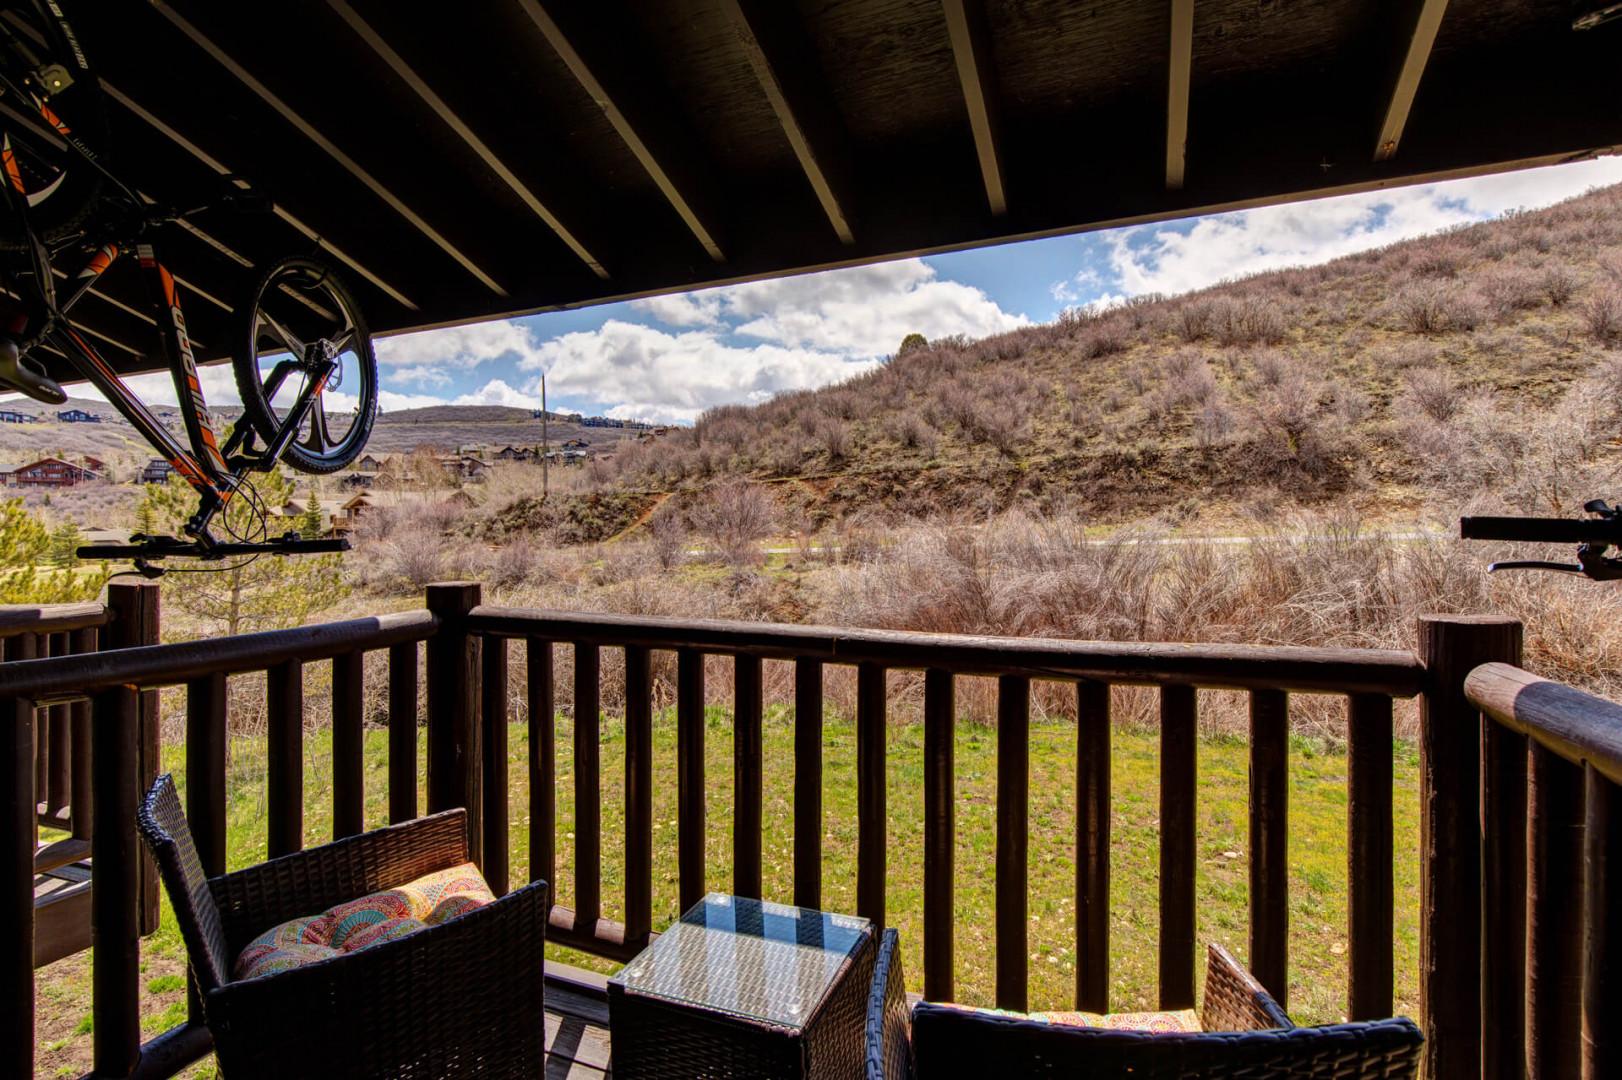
{"x": 1234, "y": 667}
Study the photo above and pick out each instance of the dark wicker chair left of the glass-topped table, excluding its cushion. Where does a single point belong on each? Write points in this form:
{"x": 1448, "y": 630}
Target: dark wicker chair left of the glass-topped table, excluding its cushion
{"x": 457, "y": 1000}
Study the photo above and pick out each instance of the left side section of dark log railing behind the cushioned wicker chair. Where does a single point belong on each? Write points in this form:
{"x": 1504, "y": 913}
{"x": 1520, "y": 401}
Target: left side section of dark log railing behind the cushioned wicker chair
{"x": 114, "y": 687}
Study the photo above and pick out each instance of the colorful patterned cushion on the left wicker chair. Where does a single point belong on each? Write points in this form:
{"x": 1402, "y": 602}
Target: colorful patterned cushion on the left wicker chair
{"x": 366, "y": 922}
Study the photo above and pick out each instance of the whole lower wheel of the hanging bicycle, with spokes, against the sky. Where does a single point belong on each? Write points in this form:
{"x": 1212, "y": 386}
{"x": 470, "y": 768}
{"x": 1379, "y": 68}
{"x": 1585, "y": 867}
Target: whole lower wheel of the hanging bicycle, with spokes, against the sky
{"x": 299, "y": 317}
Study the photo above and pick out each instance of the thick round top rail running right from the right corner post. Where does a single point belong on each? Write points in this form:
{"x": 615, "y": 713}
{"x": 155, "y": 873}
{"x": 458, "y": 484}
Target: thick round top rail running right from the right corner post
{"x": 1564, "y": 719}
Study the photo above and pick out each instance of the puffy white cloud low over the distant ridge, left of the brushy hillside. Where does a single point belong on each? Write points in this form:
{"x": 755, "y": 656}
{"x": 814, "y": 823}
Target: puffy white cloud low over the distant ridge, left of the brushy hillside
{"x": 658, "y": 375}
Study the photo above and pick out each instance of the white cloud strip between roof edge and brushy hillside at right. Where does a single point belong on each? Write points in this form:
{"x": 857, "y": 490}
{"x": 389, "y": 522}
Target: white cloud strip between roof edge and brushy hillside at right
{"x": 1180, "y": 259}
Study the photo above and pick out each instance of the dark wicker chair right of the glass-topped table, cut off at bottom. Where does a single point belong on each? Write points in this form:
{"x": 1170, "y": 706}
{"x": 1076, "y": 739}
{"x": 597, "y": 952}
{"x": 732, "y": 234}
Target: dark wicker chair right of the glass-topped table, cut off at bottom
{"x": 1245, "y": 1035}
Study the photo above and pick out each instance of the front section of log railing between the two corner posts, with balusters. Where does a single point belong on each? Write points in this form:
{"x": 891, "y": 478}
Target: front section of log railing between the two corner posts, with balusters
{"x": 1367, "y": 679}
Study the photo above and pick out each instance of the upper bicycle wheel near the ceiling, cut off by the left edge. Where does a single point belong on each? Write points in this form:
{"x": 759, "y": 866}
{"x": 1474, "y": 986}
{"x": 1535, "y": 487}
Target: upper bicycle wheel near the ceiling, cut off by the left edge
{"x": 61, "y": 184}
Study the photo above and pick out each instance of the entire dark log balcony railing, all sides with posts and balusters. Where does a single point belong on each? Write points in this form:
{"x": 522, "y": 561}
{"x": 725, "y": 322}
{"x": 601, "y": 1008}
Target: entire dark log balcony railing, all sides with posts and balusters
{"x": 1470, "y": 774}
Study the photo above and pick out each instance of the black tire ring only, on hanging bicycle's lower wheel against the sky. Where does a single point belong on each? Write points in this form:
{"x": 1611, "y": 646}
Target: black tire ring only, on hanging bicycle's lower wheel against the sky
{"x": 246, "y": 366}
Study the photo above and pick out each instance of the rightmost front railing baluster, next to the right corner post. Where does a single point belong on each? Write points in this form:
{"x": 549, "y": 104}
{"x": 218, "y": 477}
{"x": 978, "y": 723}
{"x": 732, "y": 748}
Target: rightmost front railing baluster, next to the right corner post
{"x": 1370, "y": 901}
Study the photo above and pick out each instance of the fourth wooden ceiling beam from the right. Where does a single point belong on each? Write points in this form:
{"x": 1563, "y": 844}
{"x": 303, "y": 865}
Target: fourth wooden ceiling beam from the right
{"x": 781, "y": 59}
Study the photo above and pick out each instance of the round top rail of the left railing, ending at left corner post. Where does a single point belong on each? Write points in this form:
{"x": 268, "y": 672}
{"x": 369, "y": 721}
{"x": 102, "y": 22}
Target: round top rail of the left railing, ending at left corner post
{"x": 166, "y": 666}
